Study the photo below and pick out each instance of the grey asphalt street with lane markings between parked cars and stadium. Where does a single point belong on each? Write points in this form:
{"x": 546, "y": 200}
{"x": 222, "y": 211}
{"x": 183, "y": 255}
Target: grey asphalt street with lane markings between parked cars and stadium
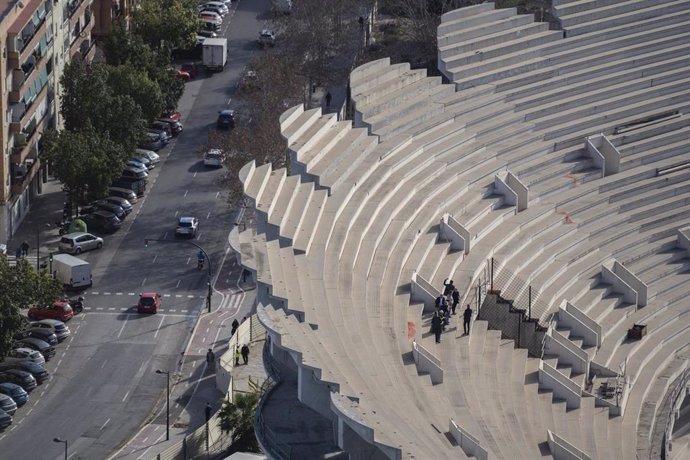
{"x": 104, "y": 384}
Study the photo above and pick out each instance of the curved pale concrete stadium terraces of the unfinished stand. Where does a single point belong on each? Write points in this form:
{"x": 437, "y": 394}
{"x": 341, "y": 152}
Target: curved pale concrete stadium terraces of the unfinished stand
{"x": 563, "y": 154}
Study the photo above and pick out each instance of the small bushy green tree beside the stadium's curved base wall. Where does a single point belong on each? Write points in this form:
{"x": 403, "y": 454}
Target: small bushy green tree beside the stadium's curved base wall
{"x": 237, "y": 418}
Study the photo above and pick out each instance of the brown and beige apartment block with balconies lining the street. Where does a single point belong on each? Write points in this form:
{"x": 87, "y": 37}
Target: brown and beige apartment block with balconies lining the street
{"x": 38, "y": 37}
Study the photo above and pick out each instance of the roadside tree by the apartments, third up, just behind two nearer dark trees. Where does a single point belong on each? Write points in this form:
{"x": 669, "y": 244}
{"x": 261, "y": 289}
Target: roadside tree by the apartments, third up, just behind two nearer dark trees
{"x": 126, "y": 80}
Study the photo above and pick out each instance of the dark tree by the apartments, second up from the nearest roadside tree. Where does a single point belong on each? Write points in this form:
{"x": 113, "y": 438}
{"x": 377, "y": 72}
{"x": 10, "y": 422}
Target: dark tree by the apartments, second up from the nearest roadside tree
{"x": 87, "y": 100}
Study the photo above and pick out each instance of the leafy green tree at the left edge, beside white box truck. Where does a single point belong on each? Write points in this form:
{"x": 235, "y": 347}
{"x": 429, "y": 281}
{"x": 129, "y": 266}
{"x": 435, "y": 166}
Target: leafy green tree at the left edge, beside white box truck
{"x": 22, "y": 288}
